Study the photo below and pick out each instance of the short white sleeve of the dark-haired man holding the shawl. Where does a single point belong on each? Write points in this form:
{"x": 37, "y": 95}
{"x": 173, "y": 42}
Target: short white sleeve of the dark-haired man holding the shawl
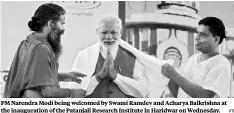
{"x": 218, "y": 81}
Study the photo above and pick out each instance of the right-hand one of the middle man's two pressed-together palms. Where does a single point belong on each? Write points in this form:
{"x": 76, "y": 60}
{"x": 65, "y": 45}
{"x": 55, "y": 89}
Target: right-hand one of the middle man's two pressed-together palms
{"x": 111, "y": 71}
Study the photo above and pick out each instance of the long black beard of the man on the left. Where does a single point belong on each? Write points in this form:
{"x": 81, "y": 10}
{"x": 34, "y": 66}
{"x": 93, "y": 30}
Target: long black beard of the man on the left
{"x": 54, "y": 40}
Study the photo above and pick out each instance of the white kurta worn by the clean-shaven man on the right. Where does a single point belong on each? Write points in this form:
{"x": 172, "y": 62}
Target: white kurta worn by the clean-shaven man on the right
{"x": 213, "y": 74}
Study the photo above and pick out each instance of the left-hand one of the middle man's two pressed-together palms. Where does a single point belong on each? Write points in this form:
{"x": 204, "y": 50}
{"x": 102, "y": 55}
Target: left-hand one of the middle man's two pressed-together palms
{"x": 103, "y": 72}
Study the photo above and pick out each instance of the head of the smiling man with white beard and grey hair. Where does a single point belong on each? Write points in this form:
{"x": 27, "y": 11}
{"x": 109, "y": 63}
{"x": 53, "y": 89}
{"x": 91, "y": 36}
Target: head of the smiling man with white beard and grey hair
{"x": 109, "y": 32}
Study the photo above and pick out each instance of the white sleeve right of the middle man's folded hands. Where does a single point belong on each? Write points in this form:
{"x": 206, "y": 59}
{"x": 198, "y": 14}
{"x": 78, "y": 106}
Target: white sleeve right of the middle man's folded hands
{"x": 136, "y": 87}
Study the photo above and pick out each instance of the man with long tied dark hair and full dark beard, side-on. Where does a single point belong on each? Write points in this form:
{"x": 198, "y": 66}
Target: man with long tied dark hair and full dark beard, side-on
{"x": 34, "y": 70}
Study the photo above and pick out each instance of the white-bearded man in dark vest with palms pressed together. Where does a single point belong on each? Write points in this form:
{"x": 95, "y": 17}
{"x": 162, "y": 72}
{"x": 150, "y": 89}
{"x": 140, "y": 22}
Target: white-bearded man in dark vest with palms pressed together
{"x": 114, "y": 68}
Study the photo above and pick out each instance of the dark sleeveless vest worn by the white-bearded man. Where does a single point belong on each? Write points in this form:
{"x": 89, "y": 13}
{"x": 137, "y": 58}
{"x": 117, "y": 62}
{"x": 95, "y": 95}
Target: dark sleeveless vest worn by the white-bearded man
{"x": 123, "y": 64}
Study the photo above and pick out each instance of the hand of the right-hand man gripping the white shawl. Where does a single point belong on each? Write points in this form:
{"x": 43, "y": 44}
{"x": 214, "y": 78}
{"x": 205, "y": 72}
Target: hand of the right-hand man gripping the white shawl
{"x": 168, "y": 71}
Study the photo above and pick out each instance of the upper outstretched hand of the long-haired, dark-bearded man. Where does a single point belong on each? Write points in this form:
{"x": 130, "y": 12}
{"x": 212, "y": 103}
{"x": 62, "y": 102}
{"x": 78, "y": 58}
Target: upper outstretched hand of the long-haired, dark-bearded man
{"x": 71, "y": 77}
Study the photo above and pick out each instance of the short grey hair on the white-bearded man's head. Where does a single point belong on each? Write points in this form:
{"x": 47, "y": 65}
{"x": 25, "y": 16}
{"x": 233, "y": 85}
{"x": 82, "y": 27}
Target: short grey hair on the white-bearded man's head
{"x": 108, "y": 18}
